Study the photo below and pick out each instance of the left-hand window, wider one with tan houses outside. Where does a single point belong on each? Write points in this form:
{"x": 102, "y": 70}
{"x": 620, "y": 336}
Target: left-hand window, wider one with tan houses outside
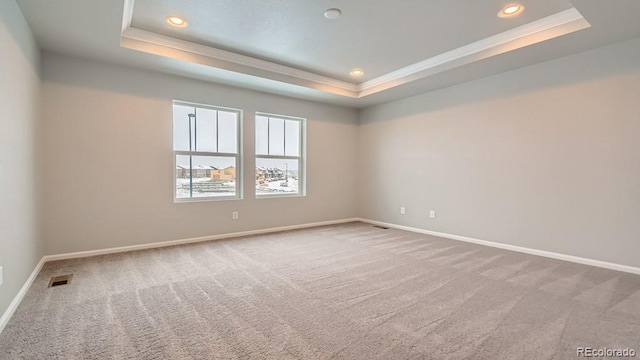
{"x": 206, "y": 148}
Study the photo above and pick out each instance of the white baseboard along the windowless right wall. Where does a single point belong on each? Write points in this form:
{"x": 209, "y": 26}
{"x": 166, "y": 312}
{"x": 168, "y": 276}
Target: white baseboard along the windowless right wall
{"x": 549, "y": 254}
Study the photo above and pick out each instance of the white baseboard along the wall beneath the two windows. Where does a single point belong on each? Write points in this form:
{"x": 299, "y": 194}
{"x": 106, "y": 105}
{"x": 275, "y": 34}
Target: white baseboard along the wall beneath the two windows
{"x": 89, "y": 253}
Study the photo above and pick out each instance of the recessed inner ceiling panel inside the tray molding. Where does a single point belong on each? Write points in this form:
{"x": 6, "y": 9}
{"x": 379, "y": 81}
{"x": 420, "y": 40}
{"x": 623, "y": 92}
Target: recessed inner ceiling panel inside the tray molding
{"x": 370, "y": 34}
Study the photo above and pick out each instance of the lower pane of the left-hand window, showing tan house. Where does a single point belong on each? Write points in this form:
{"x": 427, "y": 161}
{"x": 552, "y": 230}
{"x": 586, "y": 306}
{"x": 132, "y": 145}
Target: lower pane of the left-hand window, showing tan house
{"x": 210, "y": 176}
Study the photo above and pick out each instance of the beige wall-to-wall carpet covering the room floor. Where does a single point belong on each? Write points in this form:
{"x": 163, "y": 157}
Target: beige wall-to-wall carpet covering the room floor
{"x": 350, "y": 291}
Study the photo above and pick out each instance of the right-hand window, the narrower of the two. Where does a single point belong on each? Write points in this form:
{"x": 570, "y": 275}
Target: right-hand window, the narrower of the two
{"x": 279, "y": 155}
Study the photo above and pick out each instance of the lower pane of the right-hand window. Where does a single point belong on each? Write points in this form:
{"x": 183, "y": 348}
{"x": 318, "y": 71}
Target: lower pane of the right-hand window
{"x": 276, "y": 176}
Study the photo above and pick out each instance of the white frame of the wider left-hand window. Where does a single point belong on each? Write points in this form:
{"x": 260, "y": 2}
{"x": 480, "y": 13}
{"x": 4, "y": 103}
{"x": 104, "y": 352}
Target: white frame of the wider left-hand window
{"x": 238, "y": 156}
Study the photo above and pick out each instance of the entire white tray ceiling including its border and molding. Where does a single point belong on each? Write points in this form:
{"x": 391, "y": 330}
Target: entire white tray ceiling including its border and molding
{"x": 288, "y": 47}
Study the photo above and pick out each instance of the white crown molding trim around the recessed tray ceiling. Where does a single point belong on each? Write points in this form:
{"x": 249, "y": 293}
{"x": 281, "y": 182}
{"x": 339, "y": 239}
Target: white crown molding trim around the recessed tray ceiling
{"x": 552, "y": 26}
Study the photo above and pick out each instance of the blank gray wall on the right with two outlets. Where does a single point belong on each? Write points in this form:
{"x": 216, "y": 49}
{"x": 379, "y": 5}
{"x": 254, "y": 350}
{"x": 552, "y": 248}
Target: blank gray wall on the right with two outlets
{"x": 545, "y": 157}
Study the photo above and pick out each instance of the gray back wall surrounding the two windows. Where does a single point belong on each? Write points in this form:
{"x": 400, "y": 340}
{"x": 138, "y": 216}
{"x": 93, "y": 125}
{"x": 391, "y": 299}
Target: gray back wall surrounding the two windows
{"x": 108, "y": 161}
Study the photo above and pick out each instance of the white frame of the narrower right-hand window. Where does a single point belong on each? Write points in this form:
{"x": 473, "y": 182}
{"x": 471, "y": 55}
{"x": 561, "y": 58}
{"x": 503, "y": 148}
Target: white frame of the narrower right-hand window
{"x": 302, "y": 163}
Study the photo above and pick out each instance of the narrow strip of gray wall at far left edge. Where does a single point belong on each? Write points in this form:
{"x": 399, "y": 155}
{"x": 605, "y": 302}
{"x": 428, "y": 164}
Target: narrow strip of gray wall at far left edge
{"x": 20, "y": 248}
